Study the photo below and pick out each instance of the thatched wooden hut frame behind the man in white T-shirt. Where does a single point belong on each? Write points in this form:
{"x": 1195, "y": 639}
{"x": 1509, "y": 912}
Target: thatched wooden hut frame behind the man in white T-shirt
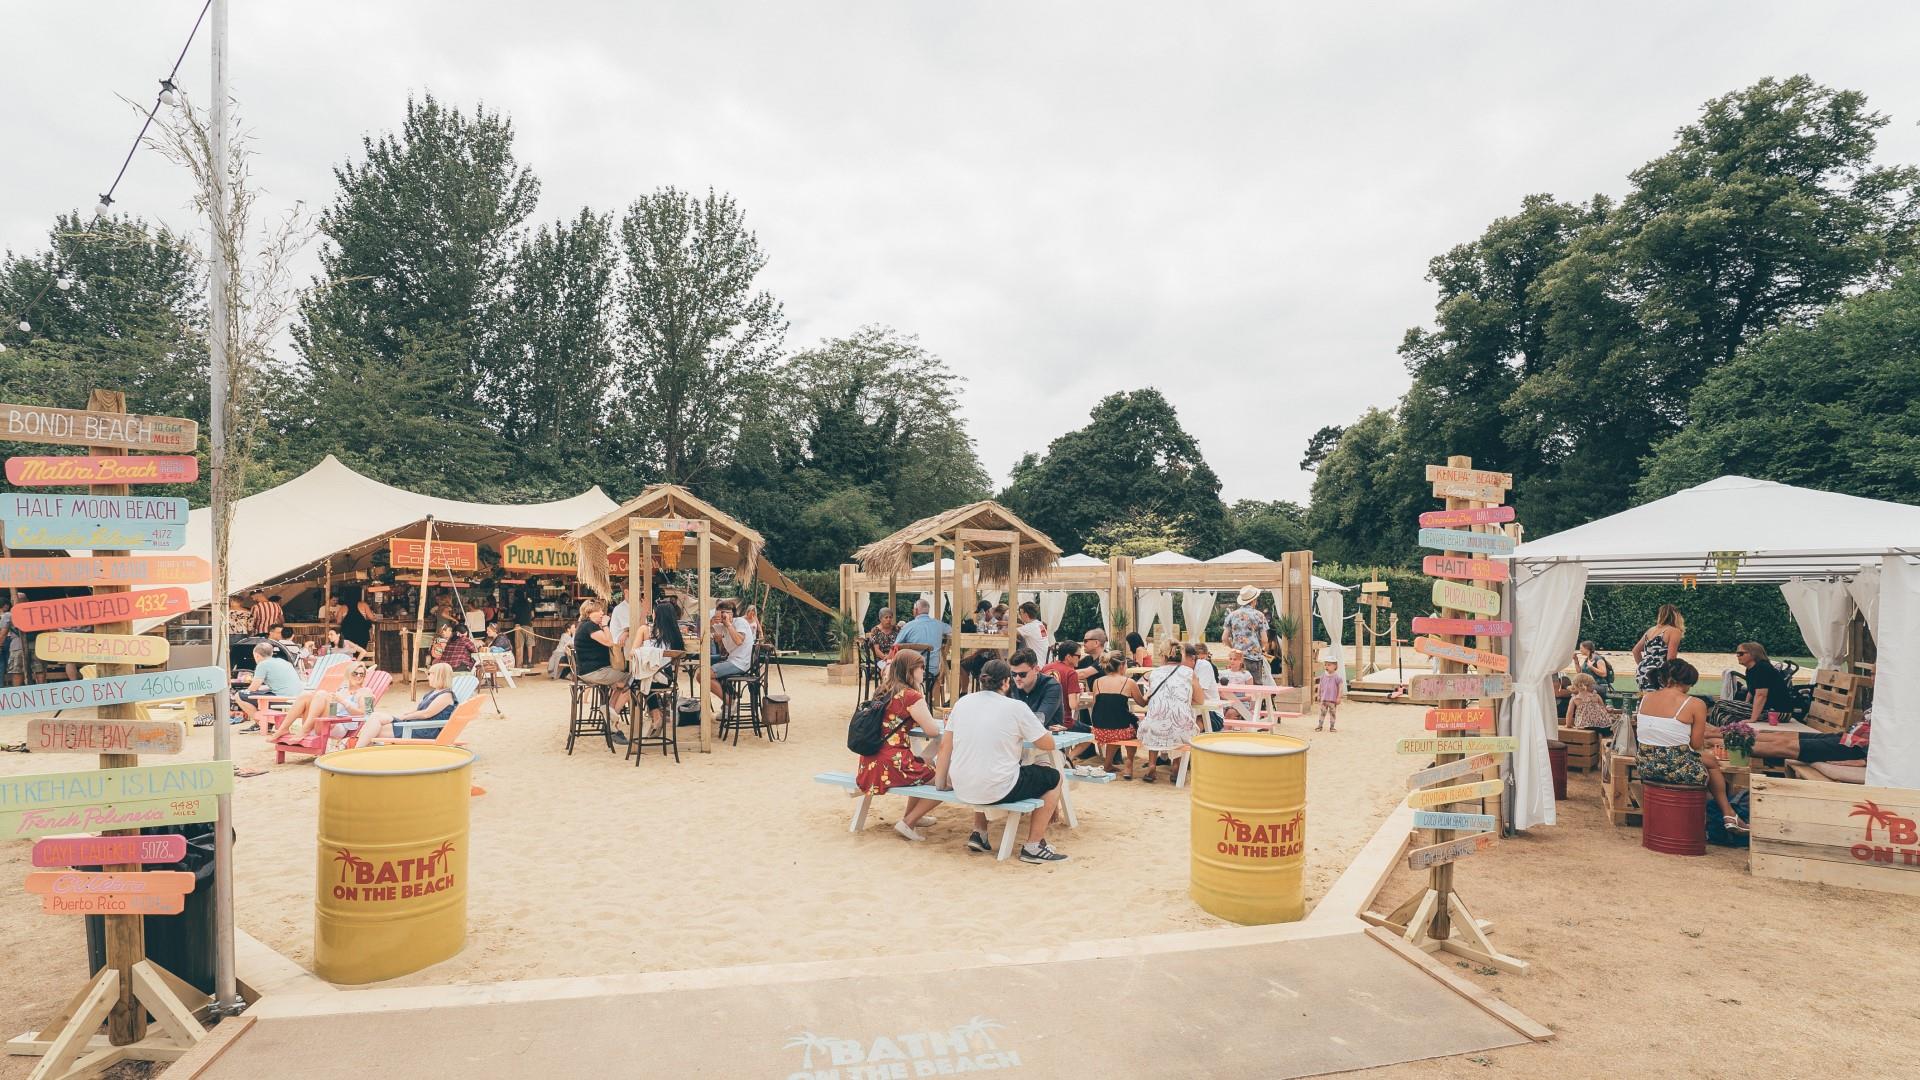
{"x": 990, "y": 545}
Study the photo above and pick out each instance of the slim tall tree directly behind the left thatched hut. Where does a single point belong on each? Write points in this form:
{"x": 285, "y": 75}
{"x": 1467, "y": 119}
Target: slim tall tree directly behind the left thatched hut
{"x": 696, "y": 339}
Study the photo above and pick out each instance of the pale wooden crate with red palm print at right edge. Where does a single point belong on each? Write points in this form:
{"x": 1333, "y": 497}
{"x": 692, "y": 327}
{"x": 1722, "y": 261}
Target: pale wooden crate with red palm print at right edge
{"x": 1842, "y": 835}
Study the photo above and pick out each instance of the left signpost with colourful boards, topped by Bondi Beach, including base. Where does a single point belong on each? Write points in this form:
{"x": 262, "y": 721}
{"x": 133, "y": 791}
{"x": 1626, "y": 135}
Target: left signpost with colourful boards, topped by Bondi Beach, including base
{"x": 120, "y": 798}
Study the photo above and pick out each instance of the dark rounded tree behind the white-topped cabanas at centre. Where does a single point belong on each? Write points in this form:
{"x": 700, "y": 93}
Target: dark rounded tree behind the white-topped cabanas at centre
{"x": 1132, "y": 458}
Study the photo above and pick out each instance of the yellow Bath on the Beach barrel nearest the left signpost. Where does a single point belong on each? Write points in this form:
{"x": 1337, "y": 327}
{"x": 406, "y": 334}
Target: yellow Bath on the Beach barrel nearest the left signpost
{"x": 393, "y": 862}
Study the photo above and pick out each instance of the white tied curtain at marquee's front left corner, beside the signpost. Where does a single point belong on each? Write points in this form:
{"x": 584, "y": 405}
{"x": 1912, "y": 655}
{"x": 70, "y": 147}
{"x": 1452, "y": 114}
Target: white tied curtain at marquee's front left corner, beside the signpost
{"x": 1547, "y": 624}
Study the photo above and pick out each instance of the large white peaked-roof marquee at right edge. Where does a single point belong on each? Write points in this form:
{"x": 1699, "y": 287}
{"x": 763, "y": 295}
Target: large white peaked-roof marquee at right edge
{"x": 1767, "y": 533}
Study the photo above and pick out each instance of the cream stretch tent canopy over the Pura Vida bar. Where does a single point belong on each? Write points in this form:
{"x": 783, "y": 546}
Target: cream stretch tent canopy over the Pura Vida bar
{"x": 291, "y": 529}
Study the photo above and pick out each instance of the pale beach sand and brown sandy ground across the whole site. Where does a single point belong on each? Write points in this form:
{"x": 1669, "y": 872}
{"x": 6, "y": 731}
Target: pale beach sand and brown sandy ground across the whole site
{"x": 585, "y": 866}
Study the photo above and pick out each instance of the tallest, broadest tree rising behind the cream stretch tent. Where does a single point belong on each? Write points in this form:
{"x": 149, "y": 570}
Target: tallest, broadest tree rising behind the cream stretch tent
{"x": 410, "y": 305}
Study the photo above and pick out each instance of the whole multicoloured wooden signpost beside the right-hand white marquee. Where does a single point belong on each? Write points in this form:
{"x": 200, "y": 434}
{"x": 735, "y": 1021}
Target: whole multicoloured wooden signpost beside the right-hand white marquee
{"x": 1466, "y": 533}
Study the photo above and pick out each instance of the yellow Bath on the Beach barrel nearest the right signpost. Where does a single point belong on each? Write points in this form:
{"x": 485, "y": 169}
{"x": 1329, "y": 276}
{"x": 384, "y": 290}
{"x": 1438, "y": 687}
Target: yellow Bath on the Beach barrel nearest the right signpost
{"x": 1249, "y": 827}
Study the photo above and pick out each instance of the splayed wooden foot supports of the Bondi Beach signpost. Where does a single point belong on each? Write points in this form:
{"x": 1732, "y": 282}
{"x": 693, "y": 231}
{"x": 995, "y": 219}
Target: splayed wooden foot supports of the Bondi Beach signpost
{"x": 70, "y": 1048}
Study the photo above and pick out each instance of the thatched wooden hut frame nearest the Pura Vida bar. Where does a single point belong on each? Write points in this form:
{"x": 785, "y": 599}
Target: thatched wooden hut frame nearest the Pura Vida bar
{"x": 638, "y": 526}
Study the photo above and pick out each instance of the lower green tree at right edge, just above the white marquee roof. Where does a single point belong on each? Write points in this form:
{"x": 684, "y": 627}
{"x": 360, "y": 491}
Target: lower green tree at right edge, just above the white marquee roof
{"x": 1827, "y": 406}
